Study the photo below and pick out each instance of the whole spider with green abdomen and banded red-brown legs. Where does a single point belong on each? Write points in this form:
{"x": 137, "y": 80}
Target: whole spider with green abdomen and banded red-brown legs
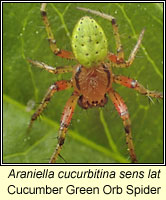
{"x": 92, "y": 76}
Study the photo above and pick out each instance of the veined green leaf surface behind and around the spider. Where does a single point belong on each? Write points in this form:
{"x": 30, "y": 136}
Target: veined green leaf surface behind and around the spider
{"x": 96, "y": 135}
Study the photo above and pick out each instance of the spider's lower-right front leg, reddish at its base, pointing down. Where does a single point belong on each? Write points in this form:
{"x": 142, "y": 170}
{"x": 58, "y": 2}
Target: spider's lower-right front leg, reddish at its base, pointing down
{"x": 123, "y": 112}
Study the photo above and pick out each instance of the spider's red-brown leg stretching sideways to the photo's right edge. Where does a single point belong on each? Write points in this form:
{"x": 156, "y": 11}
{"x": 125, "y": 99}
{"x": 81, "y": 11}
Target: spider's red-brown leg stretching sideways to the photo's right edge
{"x": 131, "y": 83}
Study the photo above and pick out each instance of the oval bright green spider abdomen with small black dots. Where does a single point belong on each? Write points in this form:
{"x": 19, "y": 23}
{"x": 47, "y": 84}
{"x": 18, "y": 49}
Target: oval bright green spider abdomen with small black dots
{"x": 89, "y": 42}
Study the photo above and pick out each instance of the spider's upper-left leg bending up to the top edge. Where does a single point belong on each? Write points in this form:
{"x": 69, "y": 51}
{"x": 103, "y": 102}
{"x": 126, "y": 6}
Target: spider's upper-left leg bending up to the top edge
{"x": 52, "y": 41}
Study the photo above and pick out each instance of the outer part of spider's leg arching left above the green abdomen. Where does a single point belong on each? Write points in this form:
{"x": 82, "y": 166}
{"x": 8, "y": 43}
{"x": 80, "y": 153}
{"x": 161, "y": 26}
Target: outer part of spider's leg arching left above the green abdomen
{"x": 120, "y": 53}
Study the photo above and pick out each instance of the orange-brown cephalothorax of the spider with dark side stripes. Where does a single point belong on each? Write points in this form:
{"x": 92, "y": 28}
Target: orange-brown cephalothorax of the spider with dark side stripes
{"x": 92, "y": 84}
